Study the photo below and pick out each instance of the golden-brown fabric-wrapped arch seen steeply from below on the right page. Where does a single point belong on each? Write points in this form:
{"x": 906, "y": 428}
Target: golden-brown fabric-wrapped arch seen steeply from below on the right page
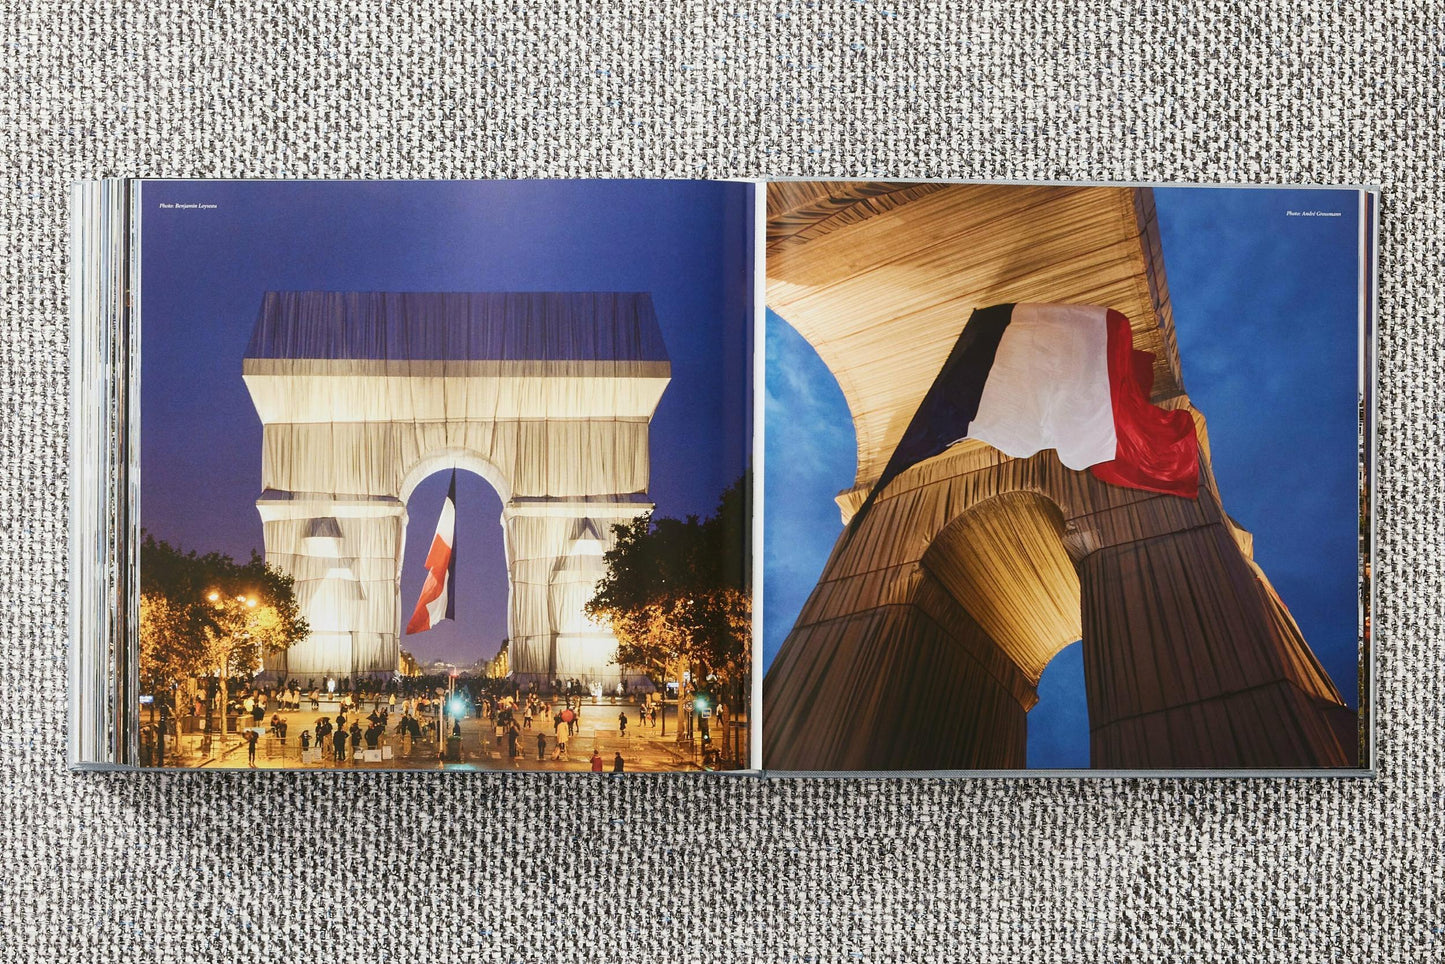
{"x": 924, "y": 642}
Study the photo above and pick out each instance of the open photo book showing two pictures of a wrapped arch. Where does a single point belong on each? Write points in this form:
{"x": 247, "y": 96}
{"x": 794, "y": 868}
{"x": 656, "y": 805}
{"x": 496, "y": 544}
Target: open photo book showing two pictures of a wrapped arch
{"x": 754, "y": 476}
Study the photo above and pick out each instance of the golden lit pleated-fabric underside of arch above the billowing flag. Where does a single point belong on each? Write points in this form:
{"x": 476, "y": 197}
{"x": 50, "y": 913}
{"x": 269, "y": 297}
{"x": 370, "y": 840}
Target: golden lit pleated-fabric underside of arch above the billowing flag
{"x": 881, "y": 278}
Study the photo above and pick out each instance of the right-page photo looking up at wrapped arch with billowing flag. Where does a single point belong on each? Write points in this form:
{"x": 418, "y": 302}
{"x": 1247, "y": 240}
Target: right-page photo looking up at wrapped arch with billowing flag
{"x": 1067, "y": 478}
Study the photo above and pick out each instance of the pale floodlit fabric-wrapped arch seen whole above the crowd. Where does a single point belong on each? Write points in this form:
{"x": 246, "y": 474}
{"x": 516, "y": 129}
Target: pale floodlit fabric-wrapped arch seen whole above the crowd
{"x": 363, "y": 395}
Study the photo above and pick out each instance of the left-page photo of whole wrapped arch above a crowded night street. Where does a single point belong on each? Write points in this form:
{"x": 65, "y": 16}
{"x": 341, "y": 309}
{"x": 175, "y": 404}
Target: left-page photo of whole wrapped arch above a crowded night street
{"x": 444, "y": 475}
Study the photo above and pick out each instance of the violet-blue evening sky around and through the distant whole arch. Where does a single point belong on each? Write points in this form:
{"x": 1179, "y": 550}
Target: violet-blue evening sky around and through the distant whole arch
{"x": 206, "y": 271}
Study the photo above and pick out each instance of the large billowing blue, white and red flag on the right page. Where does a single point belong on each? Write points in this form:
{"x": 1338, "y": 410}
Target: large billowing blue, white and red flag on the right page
{"x": 1027, "y": 378}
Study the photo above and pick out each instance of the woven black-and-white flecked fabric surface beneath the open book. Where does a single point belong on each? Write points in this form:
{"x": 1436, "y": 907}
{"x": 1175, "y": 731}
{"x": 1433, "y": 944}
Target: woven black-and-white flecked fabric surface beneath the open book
{"x": 417, "y": 868}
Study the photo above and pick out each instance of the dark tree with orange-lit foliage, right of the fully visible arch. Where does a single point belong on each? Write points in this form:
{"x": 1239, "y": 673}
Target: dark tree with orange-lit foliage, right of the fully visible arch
{"x": 678, "y": 596}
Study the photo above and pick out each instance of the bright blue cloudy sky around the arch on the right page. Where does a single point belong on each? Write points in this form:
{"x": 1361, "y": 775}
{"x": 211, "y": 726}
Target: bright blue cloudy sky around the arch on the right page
{"x": 1268, "y": 324}
